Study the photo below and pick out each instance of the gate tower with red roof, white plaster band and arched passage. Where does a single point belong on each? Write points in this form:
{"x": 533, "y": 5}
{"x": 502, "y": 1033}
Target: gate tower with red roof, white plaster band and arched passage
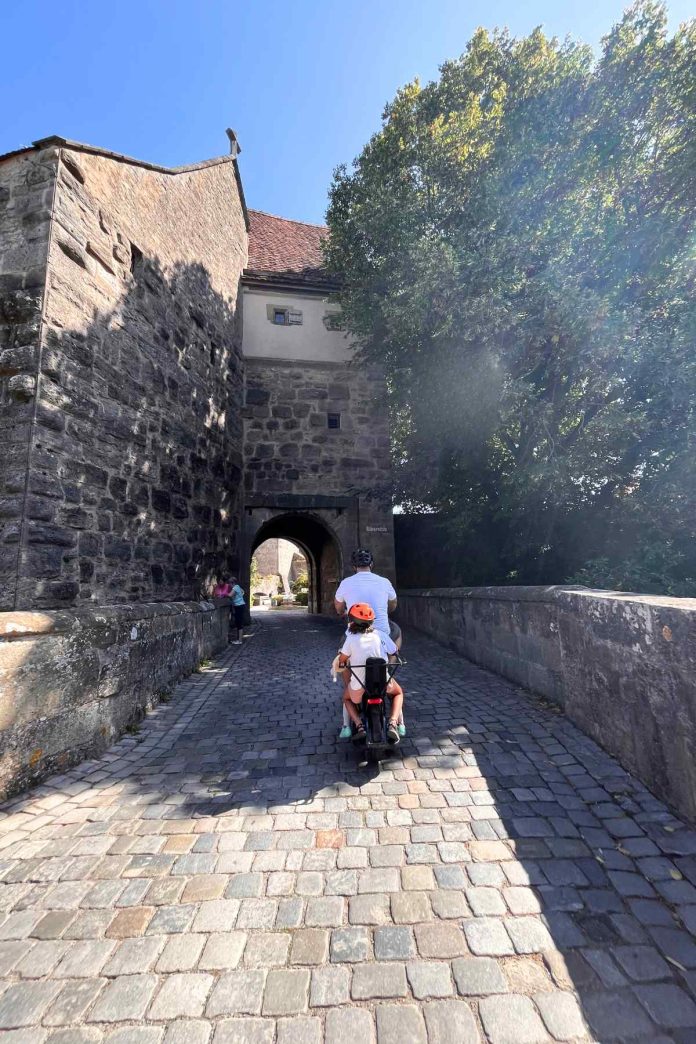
{"x": 317, "y": 445}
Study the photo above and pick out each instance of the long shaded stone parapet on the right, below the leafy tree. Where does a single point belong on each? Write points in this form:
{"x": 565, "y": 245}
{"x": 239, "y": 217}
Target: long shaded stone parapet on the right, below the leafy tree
{"x": 622, "y": 667}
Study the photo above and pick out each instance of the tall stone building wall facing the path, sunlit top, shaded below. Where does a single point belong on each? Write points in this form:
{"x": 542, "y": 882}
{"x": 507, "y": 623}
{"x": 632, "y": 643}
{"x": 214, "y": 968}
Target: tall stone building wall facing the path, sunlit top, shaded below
{"x": 136, "y": 456}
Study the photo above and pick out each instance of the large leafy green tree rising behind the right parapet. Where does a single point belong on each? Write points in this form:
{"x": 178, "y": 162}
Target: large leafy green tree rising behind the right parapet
{"x": 516, "y": 246}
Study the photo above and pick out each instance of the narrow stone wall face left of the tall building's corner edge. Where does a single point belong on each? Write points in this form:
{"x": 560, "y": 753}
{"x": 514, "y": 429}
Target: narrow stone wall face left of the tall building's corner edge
{"x": 27, "y": 196}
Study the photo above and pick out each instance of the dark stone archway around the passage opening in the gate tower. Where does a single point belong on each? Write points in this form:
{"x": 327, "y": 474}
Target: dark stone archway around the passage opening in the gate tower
{"x": 319, "y": 543}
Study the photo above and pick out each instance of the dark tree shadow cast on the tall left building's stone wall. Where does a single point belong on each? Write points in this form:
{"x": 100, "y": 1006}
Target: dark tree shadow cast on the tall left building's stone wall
{"x": 137, "y": 456}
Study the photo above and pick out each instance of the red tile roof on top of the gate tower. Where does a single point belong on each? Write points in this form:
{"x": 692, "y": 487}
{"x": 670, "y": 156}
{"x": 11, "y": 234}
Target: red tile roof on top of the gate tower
{"x": 284, "y": 251}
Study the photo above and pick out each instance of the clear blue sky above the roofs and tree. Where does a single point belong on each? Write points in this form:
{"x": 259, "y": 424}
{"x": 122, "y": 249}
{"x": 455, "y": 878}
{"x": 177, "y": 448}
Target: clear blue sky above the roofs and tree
{"x": 303, "y": 82}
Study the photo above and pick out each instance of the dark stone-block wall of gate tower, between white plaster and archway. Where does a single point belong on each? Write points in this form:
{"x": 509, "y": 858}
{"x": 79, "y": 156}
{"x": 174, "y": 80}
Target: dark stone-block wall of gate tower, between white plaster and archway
{"x": 291, "y": 452}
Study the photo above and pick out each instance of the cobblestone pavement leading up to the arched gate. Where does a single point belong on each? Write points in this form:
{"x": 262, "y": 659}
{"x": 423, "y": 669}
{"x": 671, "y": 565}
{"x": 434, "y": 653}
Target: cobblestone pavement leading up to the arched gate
{"x": 232, "y": 875}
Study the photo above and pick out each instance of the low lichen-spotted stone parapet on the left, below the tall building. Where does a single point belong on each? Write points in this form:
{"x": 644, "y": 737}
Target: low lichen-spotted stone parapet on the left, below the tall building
{"x": 73, "y": 681}
